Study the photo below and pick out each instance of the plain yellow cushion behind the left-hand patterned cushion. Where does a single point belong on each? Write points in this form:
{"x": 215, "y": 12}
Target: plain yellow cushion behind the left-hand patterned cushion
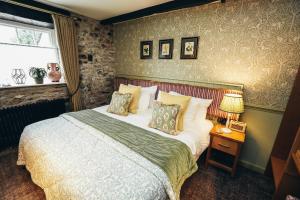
{"x": 136, "y": 93}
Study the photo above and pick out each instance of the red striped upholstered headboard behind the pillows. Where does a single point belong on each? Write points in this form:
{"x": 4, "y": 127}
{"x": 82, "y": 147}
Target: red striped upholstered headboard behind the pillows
{"x": 191, "y": 90}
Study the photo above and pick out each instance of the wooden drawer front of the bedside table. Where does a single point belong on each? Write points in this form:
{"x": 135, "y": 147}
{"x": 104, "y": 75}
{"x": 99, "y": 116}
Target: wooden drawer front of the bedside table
{"x": 226, "y": 146}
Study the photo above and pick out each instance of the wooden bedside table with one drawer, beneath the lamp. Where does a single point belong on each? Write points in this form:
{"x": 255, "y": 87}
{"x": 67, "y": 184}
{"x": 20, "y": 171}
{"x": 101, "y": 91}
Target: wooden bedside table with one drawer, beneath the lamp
{"x": 229, "y": 143}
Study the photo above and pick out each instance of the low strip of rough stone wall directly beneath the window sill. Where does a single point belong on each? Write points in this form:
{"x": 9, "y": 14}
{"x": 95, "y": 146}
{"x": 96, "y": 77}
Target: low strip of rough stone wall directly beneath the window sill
{"x": 15, "y": 96}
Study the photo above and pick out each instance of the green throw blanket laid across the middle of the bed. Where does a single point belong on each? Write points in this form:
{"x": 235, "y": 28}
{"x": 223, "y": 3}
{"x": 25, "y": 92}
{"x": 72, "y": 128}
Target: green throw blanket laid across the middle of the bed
{"x": 172, "y": 156}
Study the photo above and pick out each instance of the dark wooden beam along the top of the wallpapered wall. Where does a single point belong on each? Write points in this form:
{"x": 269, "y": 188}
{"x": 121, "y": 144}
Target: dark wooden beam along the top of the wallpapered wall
{"x": 165, "y": 7}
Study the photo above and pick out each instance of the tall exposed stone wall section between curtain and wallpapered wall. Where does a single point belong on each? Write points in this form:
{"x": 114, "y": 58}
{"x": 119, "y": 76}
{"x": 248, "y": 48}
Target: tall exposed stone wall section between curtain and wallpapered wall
{"x": 96, "y": 59}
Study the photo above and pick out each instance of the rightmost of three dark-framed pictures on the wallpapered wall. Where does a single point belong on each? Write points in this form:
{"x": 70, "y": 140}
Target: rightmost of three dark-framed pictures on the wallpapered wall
{"x": 189, "y": 48}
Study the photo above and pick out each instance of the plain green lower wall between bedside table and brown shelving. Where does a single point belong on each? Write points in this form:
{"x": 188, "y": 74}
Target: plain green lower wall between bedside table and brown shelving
{"x": 262, "y": 127}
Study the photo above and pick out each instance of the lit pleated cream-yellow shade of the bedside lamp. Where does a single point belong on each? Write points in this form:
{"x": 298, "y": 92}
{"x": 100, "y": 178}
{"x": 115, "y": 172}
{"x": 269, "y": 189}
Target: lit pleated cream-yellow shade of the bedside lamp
{"x": 232, "y": 103}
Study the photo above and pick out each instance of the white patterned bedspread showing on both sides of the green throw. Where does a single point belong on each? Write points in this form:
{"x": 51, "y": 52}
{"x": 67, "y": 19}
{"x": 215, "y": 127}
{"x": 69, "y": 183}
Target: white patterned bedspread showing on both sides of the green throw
{"x": 71, "y": 160}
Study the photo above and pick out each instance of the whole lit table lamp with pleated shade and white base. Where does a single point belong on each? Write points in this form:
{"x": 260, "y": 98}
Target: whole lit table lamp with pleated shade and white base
{"x": 232, "y": 104}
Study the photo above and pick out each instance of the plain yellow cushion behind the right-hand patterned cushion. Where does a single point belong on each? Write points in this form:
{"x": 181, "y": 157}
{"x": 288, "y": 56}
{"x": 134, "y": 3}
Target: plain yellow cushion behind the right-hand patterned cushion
{"x": 183, "y": 101}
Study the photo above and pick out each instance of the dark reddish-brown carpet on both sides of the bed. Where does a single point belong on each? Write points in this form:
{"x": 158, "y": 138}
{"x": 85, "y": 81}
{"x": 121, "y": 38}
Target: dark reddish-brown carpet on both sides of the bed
{"x": 205, "y": 184}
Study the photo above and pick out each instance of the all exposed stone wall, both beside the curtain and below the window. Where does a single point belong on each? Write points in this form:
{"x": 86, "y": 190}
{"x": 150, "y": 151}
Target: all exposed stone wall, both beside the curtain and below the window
{"x": 96, "y": 57}
